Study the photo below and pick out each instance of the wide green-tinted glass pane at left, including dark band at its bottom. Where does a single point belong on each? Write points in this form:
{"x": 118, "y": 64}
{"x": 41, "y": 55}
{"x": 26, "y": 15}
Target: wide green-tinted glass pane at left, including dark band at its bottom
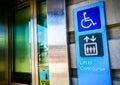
{"x": 22, "y": 47}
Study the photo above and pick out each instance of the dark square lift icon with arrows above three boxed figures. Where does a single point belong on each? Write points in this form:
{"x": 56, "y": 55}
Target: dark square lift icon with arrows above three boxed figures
{"x": 91, "y": 45}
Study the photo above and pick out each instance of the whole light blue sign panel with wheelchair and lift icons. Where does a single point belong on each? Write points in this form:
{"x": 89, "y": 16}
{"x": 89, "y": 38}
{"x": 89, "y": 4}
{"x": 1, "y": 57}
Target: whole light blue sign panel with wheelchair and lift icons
{"x": 91, "y": 45}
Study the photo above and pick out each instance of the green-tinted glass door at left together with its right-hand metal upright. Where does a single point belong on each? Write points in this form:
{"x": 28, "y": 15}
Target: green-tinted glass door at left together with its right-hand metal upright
{"x": 24, "y": 43}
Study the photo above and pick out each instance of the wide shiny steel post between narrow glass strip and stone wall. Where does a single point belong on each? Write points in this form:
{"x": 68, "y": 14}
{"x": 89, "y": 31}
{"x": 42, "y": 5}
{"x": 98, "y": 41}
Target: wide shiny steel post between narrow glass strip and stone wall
{"x": 57, "y": 42}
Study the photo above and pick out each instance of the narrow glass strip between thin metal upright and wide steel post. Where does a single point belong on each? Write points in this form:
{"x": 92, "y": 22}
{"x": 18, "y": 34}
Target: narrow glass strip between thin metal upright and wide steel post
{"x": 42, "y": 43}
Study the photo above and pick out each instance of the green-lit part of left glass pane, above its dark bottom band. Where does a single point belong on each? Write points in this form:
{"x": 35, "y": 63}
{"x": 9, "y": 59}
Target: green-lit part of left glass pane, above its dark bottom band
{"x": 22, "y": 41}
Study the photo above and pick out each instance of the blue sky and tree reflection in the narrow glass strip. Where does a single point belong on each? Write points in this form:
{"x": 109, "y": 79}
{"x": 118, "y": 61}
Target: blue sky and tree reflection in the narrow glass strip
{"x": 42, "y": 46}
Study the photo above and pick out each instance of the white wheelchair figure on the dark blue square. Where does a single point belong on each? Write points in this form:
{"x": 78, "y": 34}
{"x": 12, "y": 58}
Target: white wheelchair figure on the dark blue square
{"x": 87, "y": 19}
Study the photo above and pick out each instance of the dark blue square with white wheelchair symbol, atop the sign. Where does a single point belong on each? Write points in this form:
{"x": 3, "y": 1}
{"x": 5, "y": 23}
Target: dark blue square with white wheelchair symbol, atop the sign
{"x": 89, "y": 19}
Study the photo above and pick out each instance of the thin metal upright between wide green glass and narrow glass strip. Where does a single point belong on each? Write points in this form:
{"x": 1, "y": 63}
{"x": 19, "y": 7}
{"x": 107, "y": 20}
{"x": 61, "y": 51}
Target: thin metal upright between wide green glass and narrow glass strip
{"x": 34, "y": 43}
